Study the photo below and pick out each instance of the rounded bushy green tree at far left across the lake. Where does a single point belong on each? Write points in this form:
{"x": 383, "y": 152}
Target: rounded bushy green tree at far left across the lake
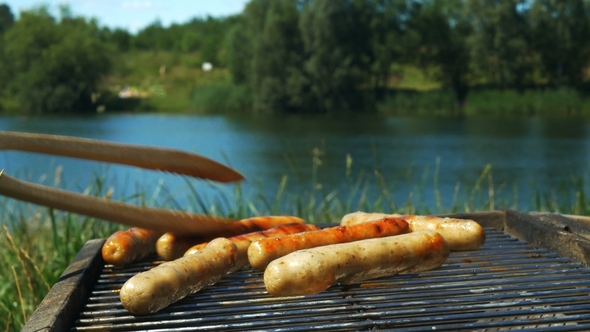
{"x": 54, "y": 66}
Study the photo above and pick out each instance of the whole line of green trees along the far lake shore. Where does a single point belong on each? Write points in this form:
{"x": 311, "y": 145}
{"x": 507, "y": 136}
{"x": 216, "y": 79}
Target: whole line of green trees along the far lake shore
{"x": 313, "y": 55}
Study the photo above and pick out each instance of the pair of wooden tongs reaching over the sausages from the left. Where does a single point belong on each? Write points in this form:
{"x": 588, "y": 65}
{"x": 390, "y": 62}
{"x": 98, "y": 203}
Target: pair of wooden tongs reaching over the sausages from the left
{"x": 162, "y": 159}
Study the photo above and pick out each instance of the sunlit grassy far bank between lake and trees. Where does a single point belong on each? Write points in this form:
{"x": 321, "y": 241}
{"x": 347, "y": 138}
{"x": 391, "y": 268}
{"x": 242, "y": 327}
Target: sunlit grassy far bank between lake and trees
{"x": 169, "y": 82}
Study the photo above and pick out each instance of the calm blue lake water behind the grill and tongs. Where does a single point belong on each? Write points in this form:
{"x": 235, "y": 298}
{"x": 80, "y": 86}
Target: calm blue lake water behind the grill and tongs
{"x": 416, "y": 158}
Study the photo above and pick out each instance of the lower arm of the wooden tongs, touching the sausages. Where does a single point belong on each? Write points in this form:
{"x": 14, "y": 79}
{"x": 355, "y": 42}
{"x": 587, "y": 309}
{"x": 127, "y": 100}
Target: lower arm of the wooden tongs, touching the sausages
{"x": 150, "y": 218}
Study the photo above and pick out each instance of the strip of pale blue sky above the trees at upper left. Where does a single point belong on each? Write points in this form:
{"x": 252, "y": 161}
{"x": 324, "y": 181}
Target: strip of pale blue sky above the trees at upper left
{"x": 133, "y": 15}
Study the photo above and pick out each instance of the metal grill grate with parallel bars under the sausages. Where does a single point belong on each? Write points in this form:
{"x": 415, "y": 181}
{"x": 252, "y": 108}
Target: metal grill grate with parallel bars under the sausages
{"x": 505, "y": 285}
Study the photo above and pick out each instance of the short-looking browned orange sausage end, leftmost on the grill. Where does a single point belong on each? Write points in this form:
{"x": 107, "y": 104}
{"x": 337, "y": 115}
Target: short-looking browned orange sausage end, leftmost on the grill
{"x": 124, "y": 247}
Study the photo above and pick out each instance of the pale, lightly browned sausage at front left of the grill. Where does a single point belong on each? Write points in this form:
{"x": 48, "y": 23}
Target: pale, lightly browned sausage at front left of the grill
{"x": 155, "y": 289}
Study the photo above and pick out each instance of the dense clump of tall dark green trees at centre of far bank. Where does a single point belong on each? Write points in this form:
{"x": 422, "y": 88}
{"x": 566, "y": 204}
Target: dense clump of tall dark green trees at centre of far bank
{"x": 308, "y": 56}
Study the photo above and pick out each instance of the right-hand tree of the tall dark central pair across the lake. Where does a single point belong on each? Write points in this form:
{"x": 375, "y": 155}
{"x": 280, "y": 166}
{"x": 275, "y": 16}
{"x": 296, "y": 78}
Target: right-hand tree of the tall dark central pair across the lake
{"x": 337, "y": 44}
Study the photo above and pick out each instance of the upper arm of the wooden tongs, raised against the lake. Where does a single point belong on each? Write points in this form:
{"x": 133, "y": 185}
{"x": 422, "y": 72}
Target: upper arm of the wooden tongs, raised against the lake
{"x": 169, "y": 160}
